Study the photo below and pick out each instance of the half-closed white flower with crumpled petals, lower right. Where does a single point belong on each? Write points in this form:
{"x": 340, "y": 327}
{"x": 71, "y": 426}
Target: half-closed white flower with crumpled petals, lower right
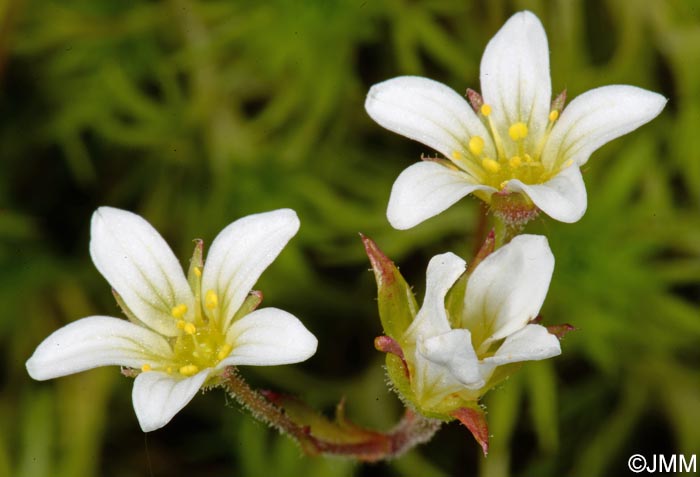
{"x": 503, "y": 295}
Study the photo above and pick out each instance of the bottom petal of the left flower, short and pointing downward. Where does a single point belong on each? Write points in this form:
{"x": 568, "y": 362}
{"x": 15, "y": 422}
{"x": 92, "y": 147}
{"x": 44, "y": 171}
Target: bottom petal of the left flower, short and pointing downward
{"x": 159, "y": 396}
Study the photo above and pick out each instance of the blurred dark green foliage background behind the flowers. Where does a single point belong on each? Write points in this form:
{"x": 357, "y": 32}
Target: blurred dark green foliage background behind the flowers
{"x": 196, "y": 113}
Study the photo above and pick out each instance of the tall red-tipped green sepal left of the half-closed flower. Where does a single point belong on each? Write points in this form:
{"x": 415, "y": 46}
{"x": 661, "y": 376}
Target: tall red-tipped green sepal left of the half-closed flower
{"x": 397, "y": 305}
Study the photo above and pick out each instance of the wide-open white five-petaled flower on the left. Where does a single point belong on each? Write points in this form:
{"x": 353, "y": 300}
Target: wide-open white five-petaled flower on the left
{"x": 183, "y": 331}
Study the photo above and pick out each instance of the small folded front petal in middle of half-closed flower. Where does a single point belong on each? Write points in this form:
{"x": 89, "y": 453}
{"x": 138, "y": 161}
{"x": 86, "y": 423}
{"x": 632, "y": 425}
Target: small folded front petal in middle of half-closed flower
{"x": 454, "y": 352}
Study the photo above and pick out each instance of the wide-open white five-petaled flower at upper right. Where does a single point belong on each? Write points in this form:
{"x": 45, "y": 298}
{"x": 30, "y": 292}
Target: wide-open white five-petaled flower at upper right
{"x": 517, "y": 142}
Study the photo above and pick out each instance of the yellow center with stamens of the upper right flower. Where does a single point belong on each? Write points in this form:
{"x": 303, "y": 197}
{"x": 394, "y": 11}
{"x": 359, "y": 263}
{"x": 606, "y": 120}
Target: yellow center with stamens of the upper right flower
{"x": 523, "y": 163}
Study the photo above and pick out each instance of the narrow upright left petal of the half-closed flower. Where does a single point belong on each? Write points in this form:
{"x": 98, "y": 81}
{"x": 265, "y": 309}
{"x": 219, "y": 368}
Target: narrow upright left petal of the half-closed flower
{"x": 431, "y": 320}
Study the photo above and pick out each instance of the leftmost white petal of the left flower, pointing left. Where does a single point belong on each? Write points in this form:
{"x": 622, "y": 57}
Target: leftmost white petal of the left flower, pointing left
{"x": 96, "y": 341}
